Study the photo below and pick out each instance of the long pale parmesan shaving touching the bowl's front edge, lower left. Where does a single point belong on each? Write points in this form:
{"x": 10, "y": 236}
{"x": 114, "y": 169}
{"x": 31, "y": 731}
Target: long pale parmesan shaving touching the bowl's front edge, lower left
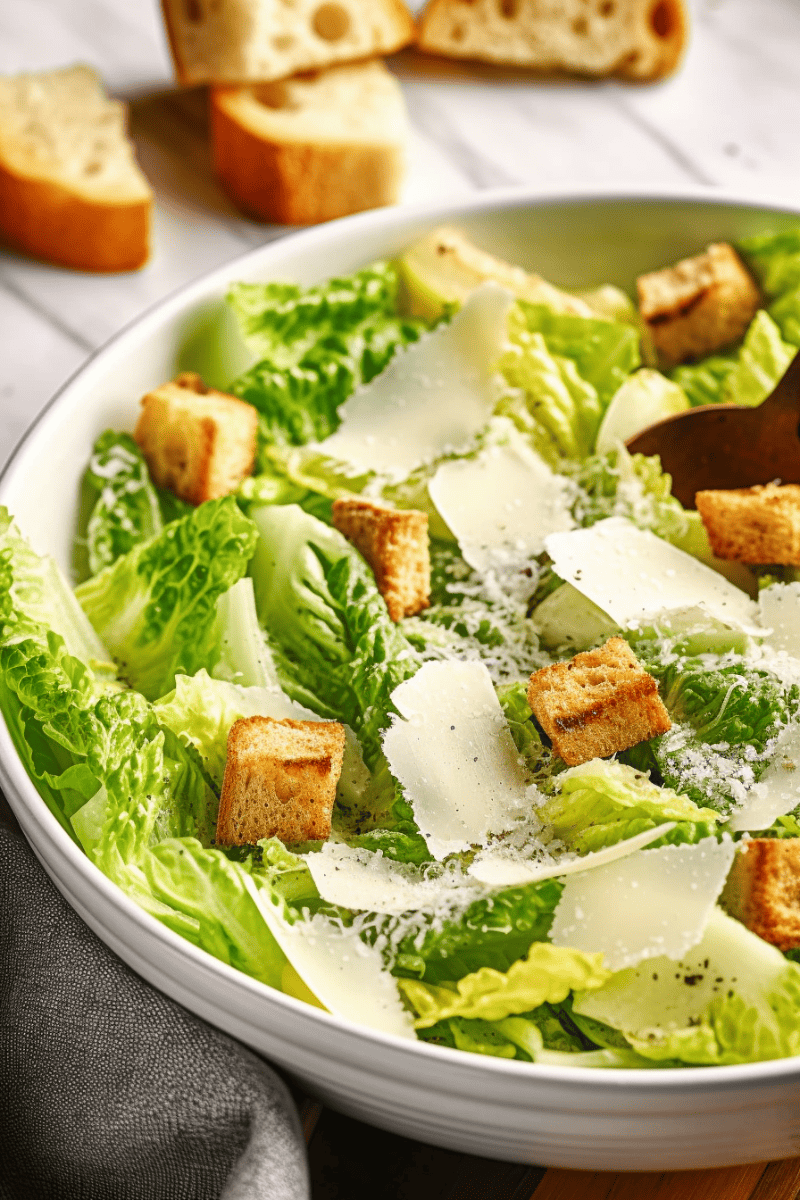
{"x": 342, "y": 971}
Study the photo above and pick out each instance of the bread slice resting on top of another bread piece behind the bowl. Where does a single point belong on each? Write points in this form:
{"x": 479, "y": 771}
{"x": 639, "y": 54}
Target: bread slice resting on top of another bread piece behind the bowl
{"x": 251, "y": 41}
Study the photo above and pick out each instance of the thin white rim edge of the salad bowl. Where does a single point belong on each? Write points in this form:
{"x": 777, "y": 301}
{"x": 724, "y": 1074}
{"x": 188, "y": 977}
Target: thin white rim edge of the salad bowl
{"x": 39, "y": 823}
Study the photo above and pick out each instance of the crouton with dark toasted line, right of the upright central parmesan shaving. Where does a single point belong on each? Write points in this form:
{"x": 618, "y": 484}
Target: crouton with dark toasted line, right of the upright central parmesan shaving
{"x": 598, "y": 704}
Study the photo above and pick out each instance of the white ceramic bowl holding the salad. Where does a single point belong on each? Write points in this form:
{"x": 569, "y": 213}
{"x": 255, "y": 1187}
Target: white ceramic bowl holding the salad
{"x": 556, "y": 1117}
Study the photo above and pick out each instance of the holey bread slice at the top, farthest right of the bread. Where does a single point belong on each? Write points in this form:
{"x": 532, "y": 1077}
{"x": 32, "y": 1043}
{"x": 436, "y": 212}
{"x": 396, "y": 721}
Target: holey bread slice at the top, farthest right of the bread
{"x": 633, "y": 39}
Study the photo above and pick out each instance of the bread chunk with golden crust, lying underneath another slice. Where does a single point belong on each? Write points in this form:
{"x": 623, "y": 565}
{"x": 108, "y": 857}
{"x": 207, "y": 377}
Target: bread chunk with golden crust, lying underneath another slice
{"x": 311, "y": 148}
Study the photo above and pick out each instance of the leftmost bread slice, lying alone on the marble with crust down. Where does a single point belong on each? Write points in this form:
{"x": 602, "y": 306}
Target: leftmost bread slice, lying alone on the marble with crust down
{"x": 71, "y": 191}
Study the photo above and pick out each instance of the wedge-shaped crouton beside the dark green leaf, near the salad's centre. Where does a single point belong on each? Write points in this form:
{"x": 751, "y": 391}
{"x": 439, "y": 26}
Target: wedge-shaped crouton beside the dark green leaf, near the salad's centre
{"x": 395, "y": 543}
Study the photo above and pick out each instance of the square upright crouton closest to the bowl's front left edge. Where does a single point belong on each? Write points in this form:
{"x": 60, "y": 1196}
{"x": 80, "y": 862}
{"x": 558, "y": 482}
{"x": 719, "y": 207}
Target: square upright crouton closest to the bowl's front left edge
{"x": 280, "y": 781}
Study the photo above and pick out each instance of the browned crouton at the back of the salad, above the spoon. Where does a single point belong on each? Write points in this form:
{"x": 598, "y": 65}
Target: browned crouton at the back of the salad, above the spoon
{"x": 700, "y": 305}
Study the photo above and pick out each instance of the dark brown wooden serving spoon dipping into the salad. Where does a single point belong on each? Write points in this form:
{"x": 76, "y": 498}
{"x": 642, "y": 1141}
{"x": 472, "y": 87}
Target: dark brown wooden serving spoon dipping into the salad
{"x": 730, "y": 446}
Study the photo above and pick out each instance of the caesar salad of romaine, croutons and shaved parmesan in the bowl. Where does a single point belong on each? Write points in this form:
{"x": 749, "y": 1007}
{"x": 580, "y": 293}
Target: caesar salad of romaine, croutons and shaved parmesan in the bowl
{"x": 394, "y": 681}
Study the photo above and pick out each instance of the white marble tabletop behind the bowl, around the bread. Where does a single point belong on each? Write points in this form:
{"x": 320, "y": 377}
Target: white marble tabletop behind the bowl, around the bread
{"x": 727, "y": 119}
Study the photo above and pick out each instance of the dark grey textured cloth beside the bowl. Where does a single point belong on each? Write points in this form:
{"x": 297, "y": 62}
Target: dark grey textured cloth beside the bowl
{"x": 111, "y": 1091}
